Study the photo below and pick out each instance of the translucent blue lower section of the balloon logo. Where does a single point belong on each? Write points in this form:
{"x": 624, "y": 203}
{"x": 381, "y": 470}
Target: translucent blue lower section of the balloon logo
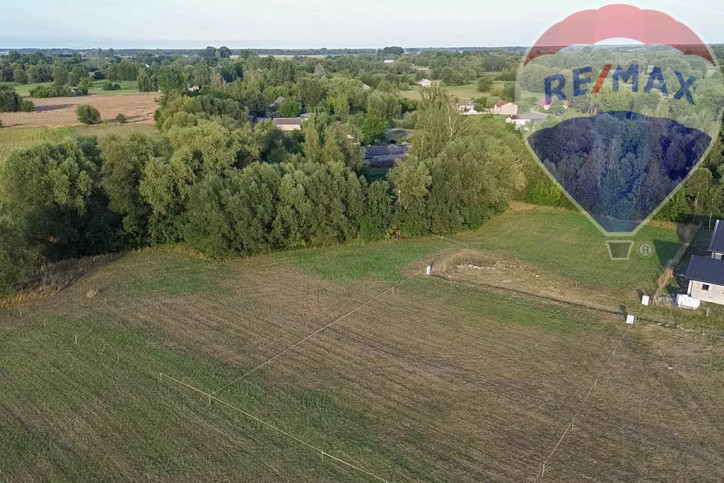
{"x": 619, "y": 166}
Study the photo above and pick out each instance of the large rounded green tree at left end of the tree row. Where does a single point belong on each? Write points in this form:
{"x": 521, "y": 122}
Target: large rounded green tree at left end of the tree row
{"x": 51, "y": 193}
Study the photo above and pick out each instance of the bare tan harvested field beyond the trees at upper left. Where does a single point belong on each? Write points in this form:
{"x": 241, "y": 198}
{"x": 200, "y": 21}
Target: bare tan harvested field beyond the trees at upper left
{"x": 60, "y": 111}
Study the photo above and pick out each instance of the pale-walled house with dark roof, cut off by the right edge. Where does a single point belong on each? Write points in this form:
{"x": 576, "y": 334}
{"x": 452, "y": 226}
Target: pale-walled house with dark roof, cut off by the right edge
{"x": 706, "y": 274}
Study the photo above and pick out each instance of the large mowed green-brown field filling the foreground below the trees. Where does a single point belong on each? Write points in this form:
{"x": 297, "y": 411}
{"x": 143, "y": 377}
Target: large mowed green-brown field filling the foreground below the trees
{"x": 433, "y": 380}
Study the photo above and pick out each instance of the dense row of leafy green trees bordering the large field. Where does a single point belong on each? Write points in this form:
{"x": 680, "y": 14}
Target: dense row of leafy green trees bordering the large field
{"x": 227, "y": 187}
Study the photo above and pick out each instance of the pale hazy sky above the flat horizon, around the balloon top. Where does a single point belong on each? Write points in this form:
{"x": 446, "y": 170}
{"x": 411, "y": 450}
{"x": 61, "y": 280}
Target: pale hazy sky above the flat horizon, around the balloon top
{"x": 308, "y": 23}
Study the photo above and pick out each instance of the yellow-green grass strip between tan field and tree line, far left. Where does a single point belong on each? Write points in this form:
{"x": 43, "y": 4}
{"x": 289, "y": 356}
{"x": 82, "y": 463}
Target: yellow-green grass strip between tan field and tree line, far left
{"x": 18, "y": 138}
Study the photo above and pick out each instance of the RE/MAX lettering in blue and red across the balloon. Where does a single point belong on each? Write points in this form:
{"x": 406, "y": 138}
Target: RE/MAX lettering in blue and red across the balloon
{"x": 655, "y": 81}
